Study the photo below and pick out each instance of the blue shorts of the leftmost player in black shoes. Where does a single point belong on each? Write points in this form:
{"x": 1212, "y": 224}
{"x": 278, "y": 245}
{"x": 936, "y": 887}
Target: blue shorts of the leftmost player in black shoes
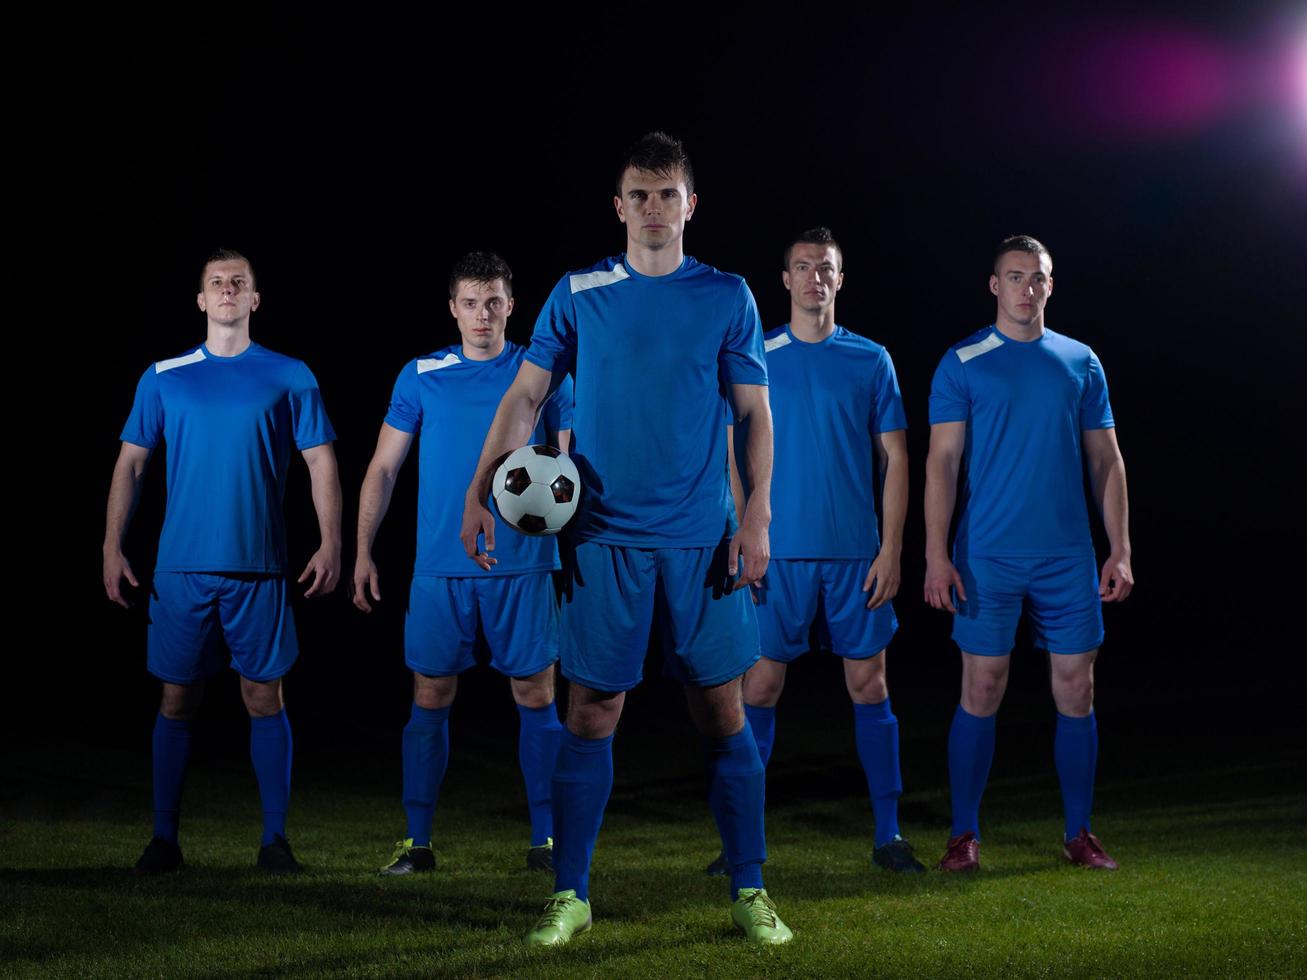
{"x": 195, "y": 616}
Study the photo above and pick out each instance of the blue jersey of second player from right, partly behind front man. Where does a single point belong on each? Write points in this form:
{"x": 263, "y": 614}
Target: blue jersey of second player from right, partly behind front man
{"x": 829, "y": 400}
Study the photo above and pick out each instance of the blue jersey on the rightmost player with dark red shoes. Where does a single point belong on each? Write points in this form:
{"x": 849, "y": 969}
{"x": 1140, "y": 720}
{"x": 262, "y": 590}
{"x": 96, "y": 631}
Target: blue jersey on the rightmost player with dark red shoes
{"x": 1025, "y": 406}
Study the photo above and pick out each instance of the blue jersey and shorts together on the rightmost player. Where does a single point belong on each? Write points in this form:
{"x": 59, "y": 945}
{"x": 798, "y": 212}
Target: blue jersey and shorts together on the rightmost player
{"x": 1023, "y": 523}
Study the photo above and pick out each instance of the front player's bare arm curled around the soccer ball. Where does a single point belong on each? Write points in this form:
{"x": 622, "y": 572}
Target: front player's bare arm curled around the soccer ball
{"x": 514, "y": 423}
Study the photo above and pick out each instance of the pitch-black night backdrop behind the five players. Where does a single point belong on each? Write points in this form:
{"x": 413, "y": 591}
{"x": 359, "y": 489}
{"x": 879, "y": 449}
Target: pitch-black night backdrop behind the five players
{"x": 356, "y": 161}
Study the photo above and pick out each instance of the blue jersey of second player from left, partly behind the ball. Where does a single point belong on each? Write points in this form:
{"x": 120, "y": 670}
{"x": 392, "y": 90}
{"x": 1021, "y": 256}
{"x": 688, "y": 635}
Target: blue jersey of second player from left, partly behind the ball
{"x": 450, "y": 402}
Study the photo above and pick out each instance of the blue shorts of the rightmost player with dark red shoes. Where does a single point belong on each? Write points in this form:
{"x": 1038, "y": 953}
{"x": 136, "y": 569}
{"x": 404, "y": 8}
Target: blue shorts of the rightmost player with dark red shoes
{"x": 1061, "y": 594}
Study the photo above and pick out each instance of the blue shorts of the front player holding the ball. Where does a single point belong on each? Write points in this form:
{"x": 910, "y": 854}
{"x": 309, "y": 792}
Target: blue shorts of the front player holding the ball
{"x": 611, "y": 596}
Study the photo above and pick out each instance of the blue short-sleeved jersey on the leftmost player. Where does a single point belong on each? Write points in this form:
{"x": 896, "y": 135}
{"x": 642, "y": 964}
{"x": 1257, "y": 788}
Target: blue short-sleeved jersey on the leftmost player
{"x": 229, "y": 425}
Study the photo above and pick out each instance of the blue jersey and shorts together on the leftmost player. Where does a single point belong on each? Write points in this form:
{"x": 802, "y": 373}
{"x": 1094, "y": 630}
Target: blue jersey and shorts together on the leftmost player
{"x": 231, "y": 425}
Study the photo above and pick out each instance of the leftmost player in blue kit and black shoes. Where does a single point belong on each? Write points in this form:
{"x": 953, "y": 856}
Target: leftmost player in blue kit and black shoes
{"x": 231, "y": 412}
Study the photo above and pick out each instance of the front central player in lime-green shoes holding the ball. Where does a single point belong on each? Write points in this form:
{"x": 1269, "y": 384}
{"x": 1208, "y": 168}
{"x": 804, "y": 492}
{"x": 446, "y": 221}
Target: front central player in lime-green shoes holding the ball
{"x": 654, "y": 340}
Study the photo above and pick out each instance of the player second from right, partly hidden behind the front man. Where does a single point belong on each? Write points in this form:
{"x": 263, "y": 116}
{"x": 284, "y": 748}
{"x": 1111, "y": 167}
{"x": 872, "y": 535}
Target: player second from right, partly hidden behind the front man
{"x": 836, "y": 404}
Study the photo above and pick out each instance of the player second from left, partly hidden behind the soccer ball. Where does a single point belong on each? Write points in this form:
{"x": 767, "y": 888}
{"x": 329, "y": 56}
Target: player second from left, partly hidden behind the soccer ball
{"x": 450, "y": 398}
